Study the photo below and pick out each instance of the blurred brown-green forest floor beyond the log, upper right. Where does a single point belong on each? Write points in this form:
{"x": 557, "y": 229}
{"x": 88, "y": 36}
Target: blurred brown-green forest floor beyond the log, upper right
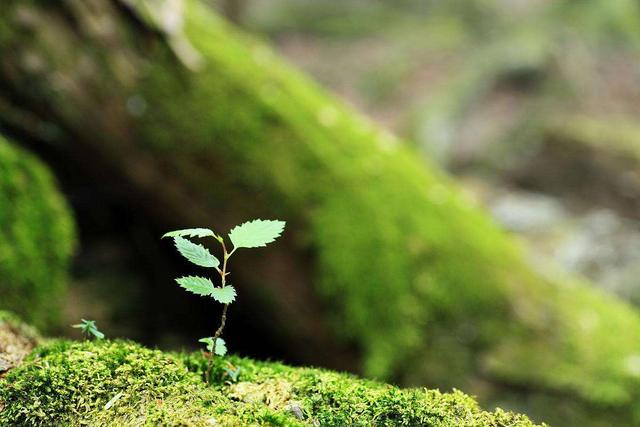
{"x": 532, "y": 104}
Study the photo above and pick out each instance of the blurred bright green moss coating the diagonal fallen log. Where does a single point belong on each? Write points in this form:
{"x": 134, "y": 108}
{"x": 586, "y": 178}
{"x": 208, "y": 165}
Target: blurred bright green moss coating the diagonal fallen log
{"x": 425, "y": 283}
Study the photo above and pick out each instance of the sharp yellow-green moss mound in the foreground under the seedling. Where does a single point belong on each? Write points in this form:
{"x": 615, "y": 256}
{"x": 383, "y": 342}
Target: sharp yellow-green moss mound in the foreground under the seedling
{"x": 121, "y": 383}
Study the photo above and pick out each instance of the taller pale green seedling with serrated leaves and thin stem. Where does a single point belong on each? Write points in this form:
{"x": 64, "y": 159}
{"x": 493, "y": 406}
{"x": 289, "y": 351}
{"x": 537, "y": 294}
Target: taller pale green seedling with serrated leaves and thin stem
{"x": 252, "y": 234}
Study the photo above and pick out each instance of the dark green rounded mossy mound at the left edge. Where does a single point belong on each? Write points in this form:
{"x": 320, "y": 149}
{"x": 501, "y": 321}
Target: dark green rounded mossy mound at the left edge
{"x": 36, "y": 237}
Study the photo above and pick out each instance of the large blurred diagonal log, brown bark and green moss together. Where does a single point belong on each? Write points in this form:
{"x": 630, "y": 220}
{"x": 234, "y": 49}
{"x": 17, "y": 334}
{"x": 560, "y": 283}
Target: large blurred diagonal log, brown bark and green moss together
{"x": 383, "y": 254}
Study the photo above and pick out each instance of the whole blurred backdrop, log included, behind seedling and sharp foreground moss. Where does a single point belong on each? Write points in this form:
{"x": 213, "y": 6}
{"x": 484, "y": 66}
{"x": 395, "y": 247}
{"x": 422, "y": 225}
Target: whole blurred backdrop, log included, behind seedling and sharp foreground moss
{"x": 487, "y": 216}
